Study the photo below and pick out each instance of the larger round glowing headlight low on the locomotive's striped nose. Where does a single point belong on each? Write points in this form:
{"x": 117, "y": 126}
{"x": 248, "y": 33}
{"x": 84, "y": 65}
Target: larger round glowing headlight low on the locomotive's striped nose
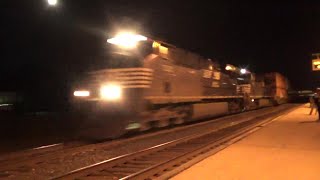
{"x": 110, "y": 92}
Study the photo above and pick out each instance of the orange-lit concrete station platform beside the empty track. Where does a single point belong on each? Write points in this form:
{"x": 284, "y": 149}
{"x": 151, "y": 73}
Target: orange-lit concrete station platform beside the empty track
{"x": 287, "y": 148}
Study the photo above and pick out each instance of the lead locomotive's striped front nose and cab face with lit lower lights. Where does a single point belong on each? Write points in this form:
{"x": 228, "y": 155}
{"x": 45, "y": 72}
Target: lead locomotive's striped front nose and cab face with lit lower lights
{"x": 109, "y": 81}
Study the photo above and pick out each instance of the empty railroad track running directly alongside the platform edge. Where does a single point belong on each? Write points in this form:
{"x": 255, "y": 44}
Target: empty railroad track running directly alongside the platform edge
{"x": 164, "y": 160}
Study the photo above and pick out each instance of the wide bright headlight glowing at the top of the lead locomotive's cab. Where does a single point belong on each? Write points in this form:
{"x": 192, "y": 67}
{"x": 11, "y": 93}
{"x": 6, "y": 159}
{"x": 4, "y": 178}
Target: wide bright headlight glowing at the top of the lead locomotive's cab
{"x": 126, "y": 40}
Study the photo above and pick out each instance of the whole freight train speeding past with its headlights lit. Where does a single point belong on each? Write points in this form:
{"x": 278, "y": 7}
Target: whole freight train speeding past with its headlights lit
{"x": 149, "y": 83}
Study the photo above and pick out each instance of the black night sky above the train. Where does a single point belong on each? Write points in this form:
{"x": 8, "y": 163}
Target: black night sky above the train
{"x": 45, "y": 48}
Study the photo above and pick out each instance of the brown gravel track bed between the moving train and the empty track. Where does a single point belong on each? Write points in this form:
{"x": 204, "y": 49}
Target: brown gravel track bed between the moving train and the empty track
{"x": 50, "y": 163}
